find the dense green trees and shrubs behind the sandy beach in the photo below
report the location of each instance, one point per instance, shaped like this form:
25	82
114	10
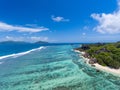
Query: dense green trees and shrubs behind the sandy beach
106	54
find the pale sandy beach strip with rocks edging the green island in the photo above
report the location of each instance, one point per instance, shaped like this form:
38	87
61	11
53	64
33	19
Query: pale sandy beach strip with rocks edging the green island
98	66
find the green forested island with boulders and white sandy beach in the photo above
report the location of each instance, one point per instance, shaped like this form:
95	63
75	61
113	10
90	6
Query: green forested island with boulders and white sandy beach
102	55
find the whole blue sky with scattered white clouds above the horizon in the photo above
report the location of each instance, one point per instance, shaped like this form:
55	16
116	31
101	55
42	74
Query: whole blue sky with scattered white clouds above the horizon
60	20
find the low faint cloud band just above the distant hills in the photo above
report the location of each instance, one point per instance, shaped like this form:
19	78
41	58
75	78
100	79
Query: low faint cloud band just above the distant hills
27	39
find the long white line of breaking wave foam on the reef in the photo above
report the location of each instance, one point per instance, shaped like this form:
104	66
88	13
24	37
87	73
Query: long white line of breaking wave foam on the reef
22	53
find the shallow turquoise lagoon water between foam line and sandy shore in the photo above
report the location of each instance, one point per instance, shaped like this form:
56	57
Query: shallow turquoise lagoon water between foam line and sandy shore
53	68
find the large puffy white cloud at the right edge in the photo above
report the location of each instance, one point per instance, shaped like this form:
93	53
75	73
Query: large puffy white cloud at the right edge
108	23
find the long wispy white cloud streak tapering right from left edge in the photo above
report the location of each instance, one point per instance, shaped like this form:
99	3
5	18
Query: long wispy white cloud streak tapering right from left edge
7	27
